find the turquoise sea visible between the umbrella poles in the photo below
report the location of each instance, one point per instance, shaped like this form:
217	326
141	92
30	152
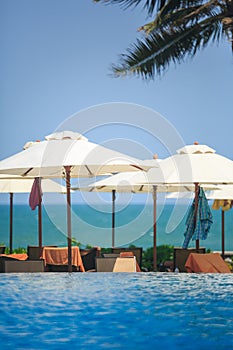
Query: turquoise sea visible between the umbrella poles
92	225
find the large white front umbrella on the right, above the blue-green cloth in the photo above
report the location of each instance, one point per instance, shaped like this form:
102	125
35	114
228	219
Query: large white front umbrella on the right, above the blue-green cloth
193	164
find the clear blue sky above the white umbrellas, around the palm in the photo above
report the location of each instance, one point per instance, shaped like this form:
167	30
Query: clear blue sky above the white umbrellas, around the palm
55	64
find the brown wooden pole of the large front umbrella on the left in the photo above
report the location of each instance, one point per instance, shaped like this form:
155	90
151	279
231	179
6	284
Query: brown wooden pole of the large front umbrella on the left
67	169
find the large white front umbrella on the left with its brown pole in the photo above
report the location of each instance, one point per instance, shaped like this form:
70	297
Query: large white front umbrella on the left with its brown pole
68	154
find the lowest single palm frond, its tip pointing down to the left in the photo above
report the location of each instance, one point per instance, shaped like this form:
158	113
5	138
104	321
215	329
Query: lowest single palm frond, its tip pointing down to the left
160	49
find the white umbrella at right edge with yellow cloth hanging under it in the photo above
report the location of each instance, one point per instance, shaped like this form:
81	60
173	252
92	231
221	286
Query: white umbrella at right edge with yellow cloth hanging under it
223	198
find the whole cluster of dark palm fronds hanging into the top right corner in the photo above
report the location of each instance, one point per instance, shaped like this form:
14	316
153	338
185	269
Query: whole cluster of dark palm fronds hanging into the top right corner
179	29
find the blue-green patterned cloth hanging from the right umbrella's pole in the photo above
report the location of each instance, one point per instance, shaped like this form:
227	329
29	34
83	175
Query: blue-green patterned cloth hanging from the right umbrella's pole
198	226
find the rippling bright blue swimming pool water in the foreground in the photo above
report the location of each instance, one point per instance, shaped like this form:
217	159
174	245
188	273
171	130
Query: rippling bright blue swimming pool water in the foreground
116	310
